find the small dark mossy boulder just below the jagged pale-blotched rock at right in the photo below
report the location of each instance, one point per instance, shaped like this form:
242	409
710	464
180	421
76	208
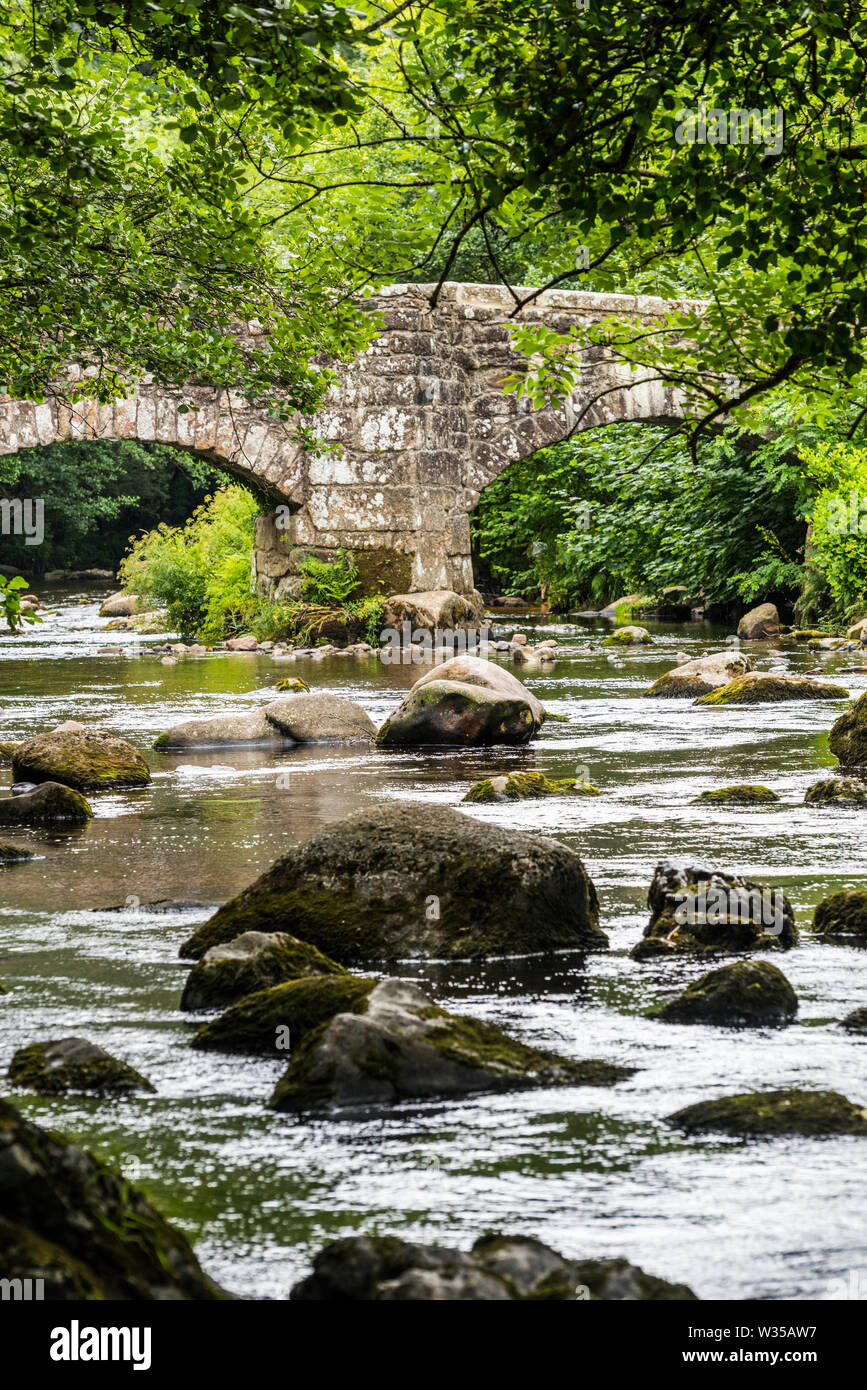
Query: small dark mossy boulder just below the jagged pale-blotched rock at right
744	995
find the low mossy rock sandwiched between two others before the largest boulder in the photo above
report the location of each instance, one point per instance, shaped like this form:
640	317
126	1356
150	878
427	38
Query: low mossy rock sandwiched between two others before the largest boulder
276	1020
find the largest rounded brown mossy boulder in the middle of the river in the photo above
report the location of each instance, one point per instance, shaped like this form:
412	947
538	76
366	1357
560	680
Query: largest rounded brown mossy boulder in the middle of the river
415	881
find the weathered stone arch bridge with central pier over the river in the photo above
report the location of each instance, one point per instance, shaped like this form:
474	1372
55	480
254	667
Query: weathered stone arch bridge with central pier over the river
420	419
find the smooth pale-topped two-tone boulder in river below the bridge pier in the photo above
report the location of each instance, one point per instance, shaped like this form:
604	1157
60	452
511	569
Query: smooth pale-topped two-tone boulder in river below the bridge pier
468	701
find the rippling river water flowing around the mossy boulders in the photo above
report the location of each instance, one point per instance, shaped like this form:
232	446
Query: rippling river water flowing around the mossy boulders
593	1172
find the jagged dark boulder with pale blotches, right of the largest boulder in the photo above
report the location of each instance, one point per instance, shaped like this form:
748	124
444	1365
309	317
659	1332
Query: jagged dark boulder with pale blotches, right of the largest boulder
701	911
